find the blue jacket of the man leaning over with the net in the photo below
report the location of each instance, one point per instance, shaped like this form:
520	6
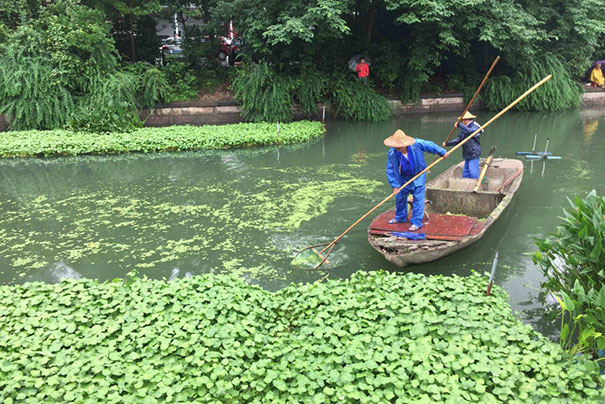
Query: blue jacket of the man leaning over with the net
394	176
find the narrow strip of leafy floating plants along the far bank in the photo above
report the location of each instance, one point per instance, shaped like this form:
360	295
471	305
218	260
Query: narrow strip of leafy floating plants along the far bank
63	142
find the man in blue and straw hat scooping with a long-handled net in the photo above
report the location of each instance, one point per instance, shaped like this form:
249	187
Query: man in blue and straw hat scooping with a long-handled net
405	160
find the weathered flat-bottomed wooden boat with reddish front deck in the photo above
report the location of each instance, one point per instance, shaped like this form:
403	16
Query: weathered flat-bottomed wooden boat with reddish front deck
455	216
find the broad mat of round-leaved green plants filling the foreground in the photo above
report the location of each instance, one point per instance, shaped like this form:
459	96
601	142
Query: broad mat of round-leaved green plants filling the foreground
215	339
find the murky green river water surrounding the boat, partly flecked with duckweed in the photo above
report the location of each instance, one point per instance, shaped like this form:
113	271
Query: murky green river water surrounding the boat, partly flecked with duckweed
248	211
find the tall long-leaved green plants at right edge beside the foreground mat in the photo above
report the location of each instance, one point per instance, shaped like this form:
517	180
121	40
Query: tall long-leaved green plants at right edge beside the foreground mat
573	262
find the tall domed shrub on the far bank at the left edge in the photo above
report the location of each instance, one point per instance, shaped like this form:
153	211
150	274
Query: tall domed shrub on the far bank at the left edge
50	64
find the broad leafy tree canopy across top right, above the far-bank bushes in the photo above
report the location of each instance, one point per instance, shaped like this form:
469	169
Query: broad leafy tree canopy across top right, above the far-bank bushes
417	44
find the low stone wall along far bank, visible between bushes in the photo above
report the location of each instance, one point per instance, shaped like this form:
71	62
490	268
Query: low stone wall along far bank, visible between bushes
223	112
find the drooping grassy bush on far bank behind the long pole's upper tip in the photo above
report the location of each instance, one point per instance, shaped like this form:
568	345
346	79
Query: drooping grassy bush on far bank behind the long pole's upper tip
561	92
